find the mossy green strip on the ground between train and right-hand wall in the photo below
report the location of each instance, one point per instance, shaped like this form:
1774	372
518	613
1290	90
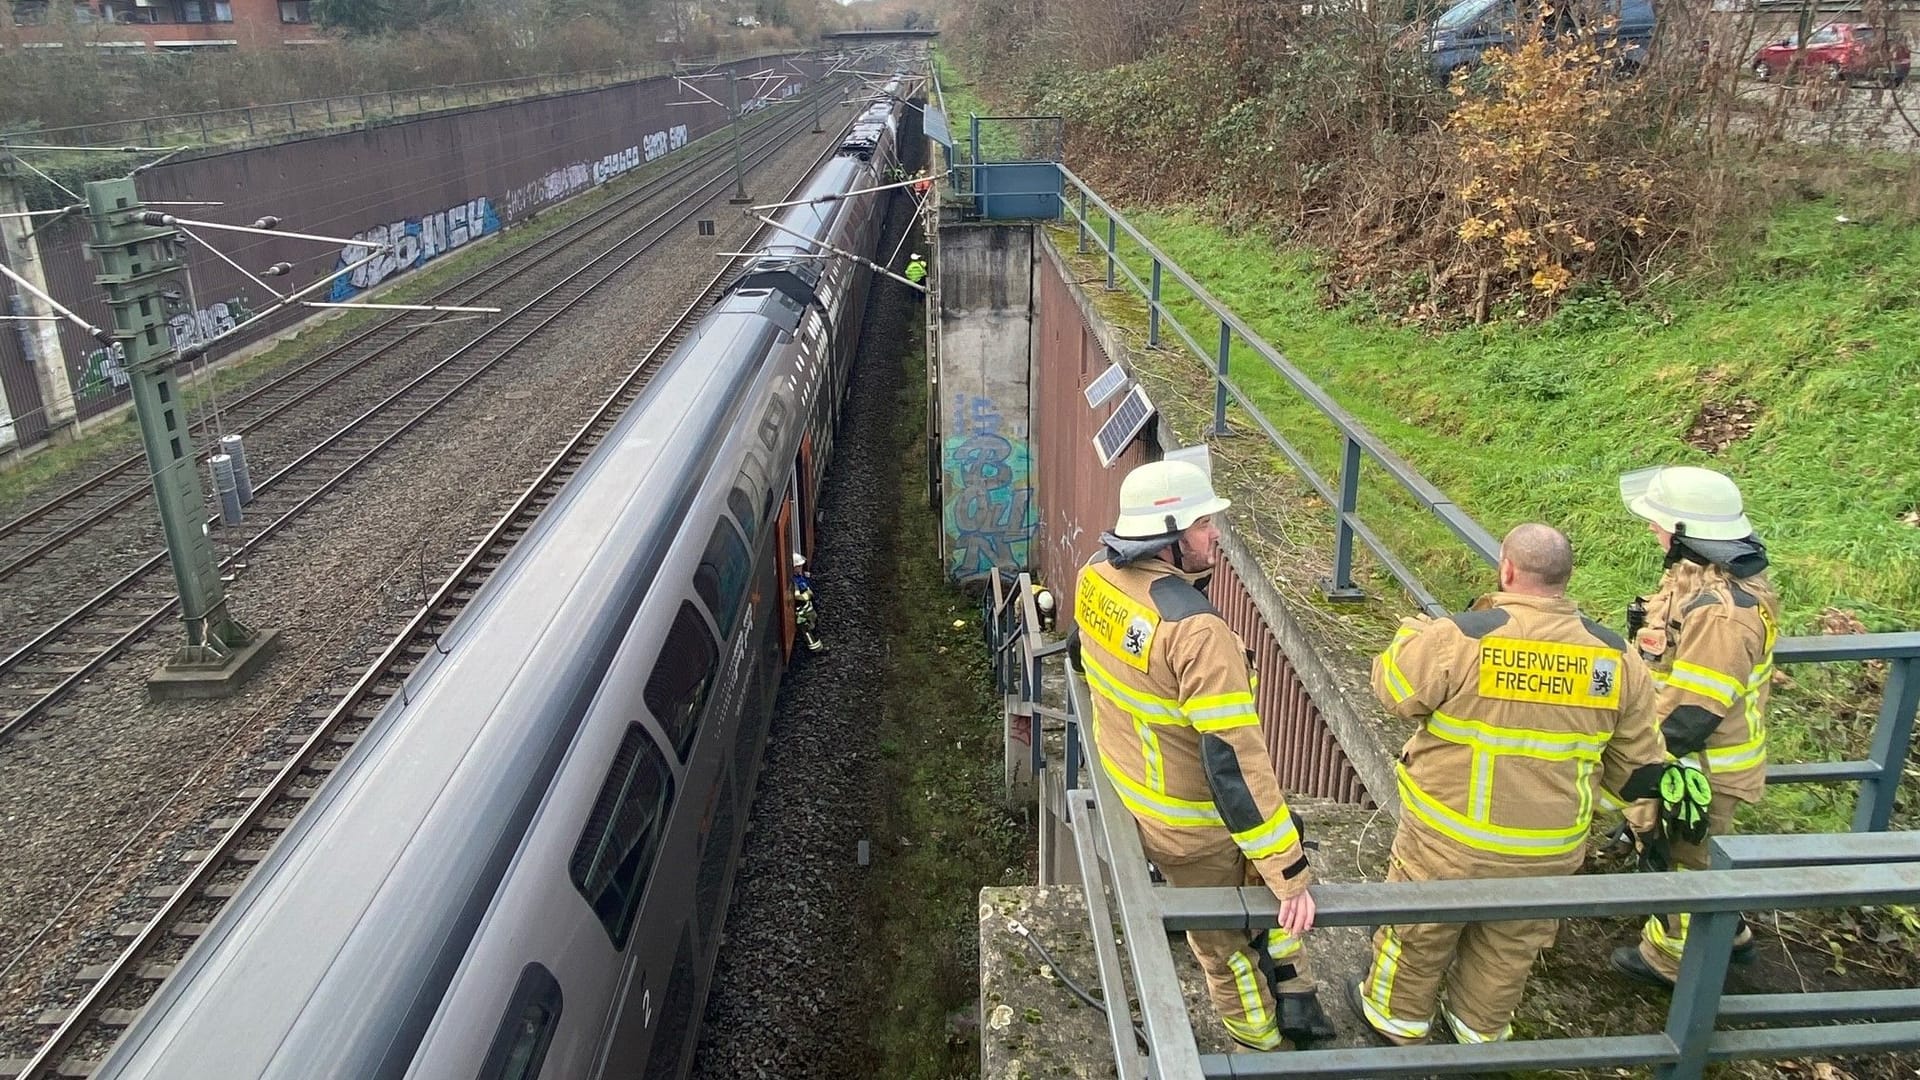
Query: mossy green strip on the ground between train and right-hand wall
944	831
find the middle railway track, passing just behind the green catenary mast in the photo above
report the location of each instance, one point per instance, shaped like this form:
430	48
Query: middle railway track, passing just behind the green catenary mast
62	656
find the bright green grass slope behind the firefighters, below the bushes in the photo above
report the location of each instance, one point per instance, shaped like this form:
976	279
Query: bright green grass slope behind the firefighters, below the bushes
1531	422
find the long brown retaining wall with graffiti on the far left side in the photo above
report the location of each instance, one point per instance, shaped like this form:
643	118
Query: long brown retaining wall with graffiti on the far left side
443	182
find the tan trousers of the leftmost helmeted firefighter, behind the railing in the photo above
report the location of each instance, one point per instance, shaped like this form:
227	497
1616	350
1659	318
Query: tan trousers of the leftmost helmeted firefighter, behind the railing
1243	973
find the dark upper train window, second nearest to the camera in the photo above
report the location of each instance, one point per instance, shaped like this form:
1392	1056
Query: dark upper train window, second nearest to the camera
615	854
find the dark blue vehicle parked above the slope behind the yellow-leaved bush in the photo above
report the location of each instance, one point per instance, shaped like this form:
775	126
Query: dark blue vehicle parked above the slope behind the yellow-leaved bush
1462	36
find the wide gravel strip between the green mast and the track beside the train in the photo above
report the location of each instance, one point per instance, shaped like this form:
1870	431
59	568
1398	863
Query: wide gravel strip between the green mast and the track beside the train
99	804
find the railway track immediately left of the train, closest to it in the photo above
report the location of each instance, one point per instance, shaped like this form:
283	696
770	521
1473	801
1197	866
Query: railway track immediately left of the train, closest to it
183	910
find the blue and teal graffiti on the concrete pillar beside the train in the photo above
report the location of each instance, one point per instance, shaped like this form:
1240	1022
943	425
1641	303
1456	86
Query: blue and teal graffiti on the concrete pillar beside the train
988	479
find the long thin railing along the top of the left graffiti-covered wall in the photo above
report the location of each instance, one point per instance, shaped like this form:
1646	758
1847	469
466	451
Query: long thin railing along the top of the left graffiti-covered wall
343	110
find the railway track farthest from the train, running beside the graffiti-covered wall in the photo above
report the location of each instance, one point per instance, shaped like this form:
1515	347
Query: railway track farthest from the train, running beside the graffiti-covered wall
103	497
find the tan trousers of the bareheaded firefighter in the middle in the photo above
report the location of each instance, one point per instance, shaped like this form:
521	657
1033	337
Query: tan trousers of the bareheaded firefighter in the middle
1489	960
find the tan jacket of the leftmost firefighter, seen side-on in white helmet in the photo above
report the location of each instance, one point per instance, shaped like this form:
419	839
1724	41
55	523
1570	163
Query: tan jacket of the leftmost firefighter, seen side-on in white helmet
1174	718
